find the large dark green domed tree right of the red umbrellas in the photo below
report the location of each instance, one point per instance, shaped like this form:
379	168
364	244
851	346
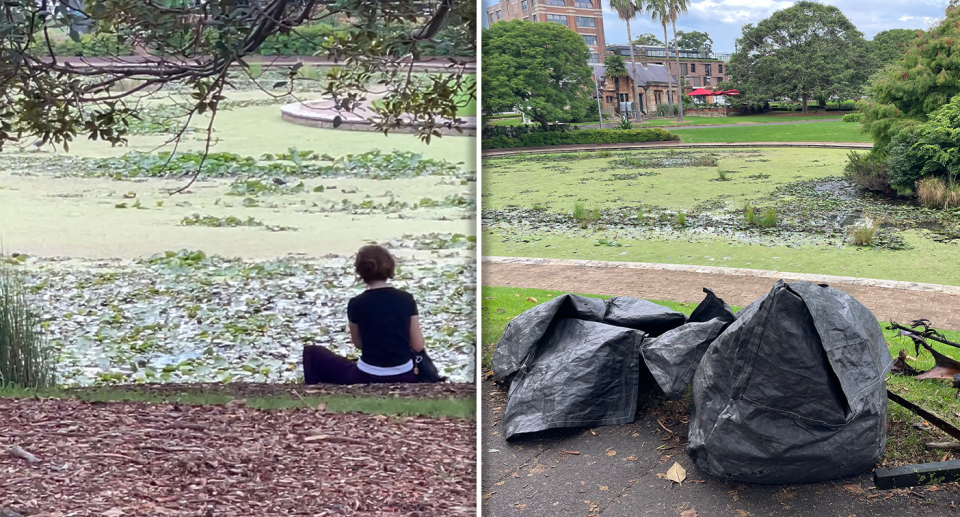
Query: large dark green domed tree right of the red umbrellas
806	51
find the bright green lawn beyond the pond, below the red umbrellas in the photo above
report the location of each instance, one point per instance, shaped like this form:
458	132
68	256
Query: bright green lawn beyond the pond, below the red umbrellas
816	132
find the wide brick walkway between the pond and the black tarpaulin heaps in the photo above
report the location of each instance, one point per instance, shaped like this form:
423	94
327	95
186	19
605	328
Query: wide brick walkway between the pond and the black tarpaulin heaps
889	300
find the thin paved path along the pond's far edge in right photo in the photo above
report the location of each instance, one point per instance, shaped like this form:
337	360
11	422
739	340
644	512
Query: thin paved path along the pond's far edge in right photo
578	148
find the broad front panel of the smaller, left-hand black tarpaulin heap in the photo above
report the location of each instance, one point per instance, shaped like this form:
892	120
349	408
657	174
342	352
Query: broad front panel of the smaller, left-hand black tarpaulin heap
585	373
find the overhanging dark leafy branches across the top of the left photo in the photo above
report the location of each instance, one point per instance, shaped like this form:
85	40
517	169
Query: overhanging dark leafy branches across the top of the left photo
197	42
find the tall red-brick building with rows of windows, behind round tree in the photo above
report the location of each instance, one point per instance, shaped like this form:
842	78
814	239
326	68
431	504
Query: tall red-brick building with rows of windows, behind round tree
583	16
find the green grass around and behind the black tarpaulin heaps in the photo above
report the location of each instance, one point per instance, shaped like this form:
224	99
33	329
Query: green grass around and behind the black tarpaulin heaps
904	442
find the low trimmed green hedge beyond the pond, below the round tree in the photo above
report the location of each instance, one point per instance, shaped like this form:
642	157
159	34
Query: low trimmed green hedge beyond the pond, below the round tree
582	136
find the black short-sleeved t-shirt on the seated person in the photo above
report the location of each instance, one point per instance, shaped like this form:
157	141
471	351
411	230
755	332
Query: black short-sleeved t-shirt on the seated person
383	317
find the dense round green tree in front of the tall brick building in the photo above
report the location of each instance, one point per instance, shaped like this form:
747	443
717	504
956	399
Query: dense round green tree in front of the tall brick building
538	68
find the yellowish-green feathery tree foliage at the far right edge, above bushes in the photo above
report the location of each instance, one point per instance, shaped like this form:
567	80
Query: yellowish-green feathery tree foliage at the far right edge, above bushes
919	82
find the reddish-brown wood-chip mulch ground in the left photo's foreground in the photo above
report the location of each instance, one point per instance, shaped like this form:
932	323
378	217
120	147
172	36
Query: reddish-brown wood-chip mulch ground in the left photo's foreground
116	459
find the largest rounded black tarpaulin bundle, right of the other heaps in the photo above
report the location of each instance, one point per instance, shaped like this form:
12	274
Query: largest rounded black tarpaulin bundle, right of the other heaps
793	390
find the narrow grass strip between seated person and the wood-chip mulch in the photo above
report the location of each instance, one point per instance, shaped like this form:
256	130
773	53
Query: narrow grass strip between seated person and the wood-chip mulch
449	407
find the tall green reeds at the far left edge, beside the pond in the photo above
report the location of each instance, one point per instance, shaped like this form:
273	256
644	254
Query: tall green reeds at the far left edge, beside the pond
26	359
